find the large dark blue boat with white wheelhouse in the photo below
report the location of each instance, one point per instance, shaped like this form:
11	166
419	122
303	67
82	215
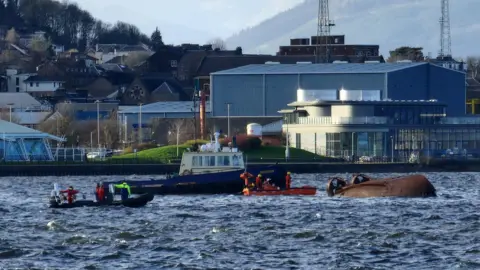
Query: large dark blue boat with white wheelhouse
210	170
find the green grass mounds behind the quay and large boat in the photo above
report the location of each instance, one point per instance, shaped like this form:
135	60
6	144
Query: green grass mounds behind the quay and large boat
166	153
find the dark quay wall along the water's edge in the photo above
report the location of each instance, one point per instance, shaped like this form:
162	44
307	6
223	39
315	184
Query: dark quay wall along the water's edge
91	169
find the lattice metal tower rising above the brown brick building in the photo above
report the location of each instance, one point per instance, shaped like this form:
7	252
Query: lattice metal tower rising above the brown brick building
323	30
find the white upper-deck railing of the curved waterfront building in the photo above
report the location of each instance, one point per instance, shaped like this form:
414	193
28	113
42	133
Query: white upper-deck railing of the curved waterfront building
372	120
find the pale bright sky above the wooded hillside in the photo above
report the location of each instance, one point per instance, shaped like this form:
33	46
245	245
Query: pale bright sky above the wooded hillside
187	21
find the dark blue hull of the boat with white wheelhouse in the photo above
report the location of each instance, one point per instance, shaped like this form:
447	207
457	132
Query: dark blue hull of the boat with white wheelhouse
210	183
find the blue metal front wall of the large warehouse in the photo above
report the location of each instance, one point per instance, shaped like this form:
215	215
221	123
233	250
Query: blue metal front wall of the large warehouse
264	95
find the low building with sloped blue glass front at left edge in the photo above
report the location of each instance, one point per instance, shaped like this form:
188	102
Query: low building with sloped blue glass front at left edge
19	143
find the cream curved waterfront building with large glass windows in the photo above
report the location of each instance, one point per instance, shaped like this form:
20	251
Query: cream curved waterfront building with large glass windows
355	123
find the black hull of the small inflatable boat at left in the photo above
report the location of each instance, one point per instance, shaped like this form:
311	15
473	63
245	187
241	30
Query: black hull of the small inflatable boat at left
139	201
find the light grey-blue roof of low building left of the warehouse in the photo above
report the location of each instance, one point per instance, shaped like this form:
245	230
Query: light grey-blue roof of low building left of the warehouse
166	107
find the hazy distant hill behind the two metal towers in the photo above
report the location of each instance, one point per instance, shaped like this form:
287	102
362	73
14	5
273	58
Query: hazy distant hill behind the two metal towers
390	24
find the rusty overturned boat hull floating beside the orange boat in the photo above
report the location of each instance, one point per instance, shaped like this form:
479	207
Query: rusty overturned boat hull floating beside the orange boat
363	186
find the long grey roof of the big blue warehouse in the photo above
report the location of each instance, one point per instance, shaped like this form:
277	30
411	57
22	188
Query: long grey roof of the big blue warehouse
318	68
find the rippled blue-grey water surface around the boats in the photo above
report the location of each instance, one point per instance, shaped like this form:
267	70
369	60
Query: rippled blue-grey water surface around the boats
235	232
